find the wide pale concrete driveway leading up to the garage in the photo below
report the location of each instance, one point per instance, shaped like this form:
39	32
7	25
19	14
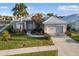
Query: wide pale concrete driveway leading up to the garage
66	46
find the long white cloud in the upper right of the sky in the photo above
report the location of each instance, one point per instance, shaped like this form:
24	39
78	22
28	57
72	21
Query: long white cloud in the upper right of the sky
68	8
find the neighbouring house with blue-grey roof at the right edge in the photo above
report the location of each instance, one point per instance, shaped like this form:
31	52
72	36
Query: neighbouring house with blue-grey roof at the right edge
73	21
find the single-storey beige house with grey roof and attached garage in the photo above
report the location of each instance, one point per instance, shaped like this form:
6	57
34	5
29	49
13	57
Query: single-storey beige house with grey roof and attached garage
51	25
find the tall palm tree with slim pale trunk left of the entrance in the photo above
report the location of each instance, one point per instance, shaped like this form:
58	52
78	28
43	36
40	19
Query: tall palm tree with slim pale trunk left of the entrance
20	11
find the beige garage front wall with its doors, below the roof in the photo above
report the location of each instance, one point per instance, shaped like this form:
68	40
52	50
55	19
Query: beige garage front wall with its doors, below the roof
54	30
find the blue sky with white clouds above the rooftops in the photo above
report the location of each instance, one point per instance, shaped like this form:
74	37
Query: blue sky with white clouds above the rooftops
61	9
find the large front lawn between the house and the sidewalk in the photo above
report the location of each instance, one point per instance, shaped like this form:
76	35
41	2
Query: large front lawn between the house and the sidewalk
21	41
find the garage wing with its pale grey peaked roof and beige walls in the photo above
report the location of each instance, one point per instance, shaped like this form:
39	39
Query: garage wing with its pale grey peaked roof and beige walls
54	26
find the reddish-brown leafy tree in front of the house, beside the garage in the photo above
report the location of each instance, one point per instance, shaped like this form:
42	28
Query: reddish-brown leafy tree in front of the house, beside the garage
38	21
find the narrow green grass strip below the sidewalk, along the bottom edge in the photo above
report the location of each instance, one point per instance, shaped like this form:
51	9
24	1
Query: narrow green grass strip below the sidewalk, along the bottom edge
44	53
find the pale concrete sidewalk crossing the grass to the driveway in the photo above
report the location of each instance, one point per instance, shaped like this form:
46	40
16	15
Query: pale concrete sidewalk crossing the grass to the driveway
27	50
